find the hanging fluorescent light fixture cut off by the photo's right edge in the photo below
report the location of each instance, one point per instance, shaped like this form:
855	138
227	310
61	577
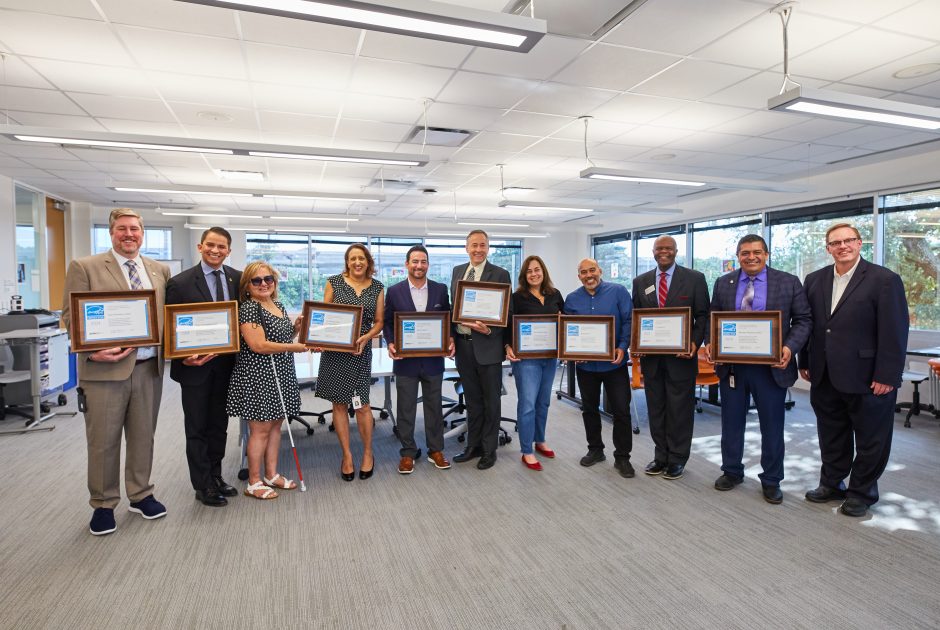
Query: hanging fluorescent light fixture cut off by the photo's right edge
856	108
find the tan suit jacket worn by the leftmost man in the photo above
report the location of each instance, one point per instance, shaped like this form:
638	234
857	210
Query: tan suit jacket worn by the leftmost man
102	273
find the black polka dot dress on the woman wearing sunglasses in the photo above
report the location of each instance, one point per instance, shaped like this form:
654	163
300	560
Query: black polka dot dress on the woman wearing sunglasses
252	392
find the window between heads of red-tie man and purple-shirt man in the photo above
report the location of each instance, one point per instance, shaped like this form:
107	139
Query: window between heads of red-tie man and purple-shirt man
714	244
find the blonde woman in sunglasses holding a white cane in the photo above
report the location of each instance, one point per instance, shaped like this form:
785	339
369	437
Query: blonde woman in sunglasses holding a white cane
263	396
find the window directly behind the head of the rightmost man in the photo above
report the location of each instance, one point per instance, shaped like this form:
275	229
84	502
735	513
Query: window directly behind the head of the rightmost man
797	237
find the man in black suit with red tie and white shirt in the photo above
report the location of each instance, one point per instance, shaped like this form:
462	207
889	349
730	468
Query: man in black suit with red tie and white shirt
669	381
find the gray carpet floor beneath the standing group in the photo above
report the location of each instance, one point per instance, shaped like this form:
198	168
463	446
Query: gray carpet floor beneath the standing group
569	547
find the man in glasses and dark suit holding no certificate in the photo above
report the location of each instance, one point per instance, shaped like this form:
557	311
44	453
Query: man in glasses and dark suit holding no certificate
854	362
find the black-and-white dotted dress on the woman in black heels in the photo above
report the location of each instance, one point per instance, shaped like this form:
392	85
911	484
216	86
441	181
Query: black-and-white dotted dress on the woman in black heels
343	374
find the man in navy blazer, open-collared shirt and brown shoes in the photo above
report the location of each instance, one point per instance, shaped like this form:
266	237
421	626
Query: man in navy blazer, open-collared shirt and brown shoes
417	293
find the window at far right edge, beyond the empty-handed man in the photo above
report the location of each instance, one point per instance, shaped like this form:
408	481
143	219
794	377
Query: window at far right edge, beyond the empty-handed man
912	250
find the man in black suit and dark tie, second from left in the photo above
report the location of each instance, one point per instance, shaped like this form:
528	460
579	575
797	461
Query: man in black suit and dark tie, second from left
204	379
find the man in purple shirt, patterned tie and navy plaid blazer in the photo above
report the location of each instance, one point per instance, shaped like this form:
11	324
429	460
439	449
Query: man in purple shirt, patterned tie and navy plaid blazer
757	287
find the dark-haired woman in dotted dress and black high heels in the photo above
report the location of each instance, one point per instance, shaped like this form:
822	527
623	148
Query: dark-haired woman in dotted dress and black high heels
344	375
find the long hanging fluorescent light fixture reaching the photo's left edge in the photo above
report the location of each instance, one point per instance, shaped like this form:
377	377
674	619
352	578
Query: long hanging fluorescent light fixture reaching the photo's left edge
192	145
